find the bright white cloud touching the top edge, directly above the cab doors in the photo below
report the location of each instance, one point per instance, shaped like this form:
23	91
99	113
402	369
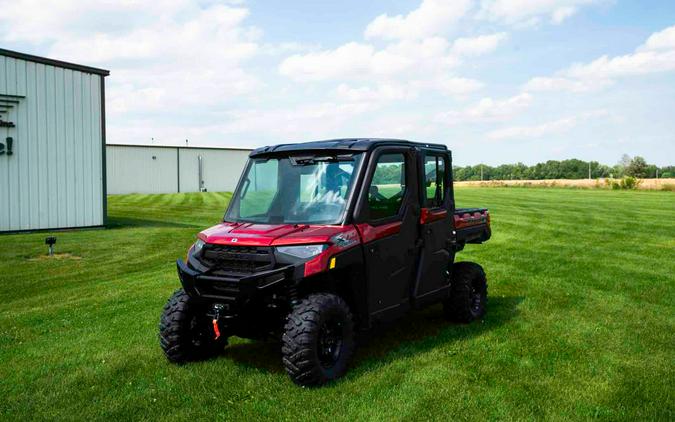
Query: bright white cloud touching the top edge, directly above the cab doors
432	17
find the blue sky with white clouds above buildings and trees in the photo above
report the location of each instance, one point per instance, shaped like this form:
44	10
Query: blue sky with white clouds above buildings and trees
498	81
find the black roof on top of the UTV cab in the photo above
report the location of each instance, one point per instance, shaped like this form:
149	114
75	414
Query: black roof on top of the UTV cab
352	144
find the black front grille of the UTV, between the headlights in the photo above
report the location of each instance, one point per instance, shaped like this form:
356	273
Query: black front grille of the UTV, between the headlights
227	259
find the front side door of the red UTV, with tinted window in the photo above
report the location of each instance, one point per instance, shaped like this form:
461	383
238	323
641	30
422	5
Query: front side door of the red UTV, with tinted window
387	220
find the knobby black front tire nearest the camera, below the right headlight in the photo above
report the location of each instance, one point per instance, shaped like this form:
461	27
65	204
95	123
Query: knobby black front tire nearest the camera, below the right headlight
318	340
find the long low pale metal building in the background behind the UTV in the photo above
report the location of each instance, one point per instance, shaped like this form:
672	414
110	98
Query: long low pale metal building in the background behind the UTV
164	169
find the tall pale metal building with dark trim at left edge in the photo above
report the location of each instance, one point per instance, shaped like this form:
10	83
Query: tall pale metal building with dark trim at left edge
52	137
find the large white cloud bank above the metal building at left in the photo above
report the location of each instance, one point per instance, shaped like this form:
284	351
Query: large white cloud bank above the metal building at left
161	54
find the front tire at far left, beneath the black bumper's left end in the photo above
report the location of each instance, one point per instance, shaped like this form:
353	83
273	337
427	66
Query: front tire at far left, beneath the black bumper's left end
184	331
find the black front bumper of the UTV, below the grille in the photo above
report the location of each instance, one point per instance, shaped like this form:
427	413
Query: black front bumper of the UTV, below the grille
232	289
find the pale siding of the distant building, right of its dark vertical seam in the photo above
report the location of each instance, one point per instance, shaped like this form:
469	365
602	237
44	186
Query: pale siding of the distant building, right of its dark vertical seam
221	169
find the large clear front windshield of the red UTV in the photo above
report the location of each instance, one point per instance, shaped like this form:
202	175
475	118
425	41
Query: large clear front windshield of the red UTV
296	190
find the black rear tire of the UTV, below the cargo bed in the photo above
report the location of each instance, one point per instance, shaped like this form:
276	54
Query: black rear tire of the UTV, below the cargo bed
468	293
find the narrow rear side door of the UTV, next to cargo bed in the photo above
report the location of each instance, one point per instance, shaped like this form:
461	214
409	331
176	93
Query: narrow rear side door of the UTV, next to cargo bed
435	224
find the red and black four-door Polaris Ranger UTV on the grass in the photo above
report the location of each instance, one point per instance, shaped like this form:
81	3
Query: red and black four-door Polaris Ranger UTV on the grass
322	240
